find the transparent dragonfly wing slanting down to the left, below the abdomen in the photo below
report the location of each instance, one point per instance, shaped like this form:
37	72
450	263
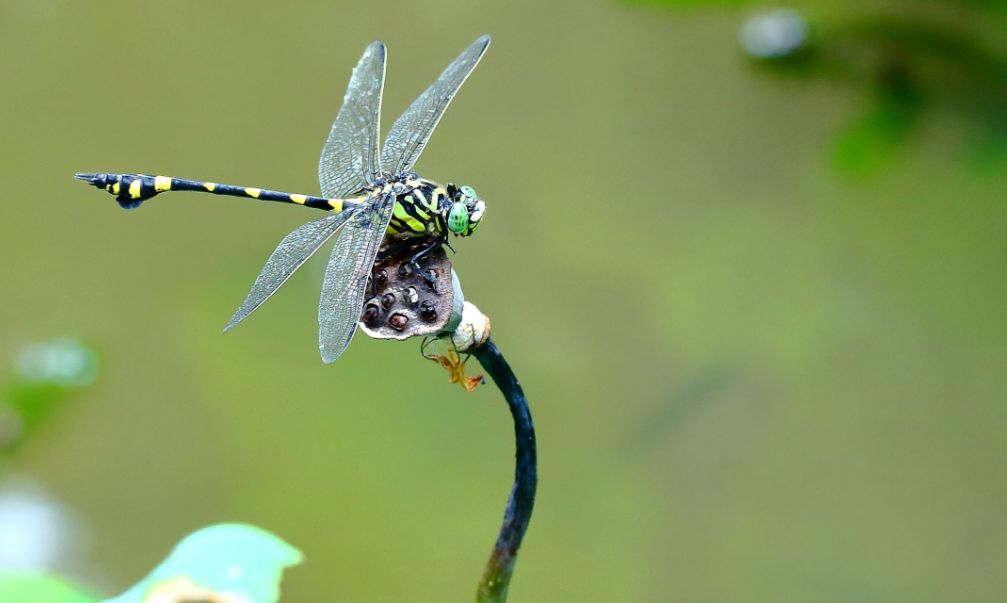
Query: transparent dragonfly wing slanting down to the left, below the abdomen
292	254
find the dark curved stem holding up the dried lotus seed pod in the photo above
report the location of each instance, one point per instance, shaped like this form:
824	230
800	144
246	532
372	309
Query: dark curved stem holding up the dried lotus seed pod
497	576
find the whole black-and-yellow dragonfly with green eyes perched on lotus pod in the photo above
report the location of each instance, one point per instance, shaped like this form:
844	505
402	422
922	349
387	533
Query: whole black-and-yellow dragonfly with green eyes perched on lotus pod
372	197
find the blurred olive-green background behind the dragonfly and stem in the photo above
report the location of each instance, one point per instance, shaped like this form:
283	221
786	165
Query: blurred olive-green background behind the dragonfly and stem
759	310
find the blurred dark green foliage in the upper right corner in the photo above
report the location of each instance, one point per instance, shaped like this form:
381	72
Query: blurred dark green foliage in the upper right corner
914	67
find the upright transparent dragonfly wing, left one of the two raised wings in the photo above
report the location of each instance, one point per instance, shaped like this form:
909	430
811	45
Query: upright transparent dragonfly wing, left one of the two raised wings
350	159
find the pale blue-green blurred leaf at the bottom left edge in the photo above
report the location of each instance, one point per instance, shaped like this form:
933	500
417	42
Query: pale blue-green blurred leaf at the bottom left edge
228	563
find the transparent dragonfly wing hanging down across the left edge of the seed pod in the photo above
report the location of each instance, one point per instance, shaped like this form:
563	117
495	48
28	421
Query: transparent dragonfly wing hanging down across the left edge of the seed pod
347	276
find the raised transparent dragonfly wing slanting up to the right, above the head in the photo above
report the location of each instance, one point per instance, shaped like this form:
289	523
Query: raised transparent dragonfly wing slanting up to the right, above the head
412	130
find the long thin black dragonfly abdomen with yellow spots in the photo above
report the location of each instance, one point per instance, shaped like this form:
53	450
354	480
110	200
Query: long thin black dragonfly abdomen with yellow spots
131	191
